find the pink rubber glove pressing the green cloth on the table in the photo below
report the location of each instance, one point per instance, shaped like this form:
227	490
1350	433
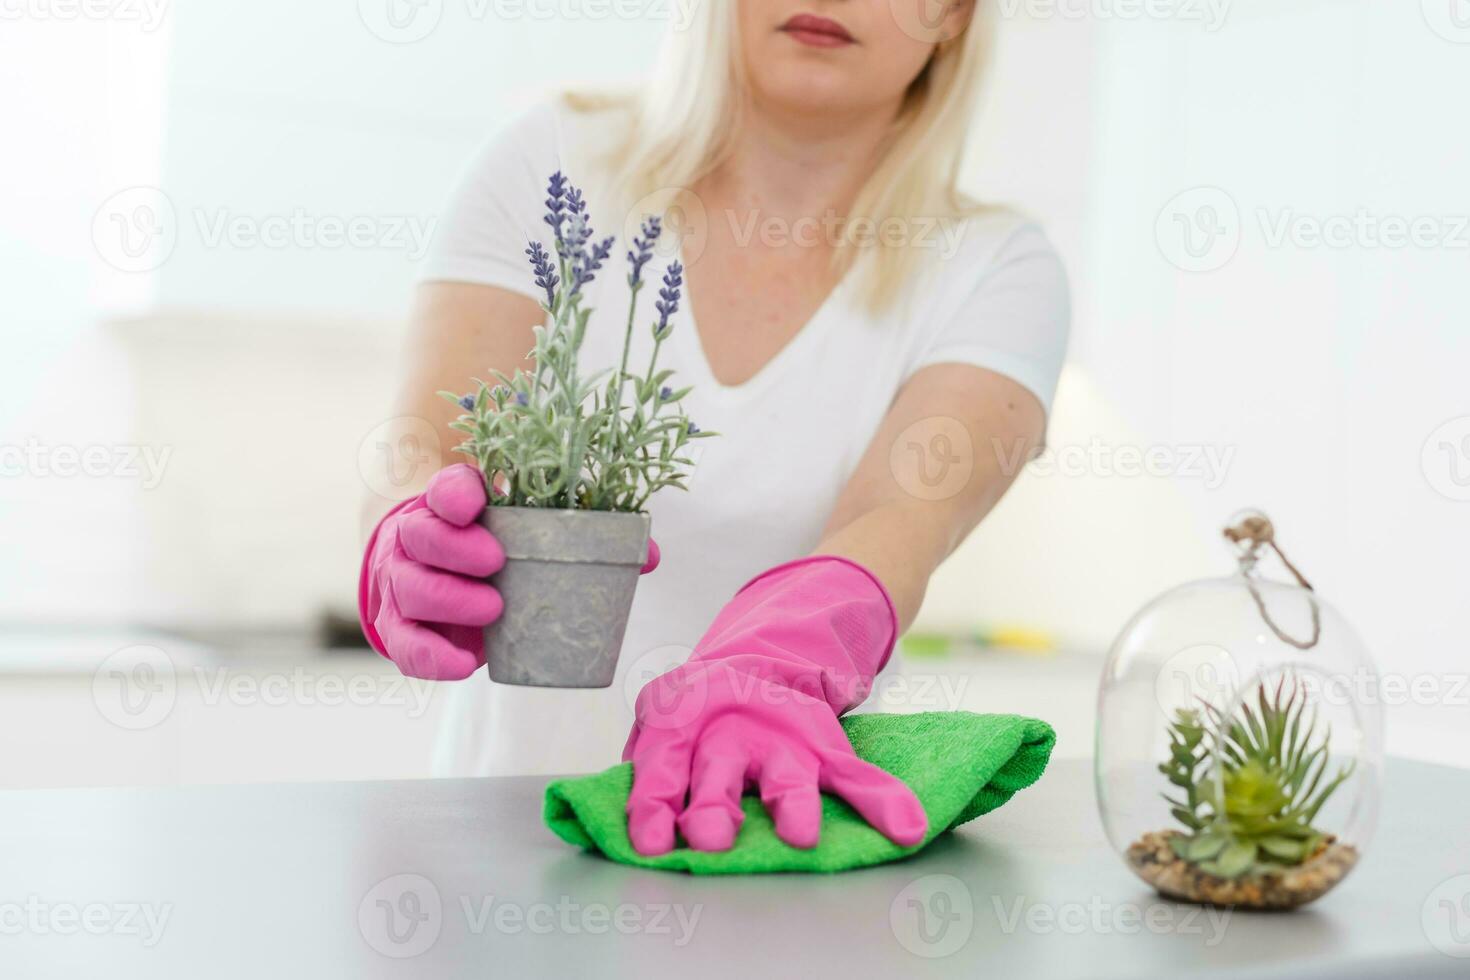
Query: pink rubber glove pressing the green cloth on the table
758	706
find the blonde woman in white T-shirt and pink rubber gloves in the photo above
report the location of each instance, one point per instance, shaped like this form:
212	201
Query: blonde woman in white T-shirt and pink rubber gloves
846	314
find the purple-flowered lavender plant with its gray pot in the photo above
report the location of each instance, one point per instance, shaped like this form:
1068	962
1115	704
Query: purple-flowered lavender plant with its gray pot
570	464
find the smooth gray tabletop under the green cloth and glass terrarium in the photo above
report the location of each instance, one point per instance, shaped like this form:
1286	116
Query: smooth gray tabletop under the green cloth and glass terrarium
459	878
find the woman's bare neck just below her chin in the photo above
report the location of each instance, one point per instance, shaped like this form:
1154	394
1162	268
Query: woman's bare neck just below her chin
799	165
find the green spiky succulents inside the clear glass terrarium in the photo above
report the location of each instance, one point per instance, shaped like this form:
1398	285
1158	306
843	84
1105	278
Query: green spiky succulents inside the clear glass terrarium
1253	782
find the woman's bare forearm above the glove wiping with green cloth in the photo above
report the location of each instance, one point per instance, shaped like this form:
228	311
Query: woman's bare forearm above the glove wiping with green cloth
947	452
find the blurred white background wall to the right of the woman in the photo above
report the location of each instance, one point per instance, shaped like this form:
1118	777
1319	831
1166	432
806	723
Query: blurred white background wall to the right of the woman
1319	372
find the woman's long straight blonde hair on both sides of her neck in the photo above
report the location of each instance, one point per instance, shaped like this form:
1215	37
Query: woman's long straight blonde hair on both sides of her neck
686	118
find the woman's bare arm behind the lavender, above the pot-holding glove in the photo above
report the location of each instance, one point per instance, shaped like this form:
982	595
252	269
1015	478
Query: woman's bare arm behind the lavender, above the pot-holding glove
459	333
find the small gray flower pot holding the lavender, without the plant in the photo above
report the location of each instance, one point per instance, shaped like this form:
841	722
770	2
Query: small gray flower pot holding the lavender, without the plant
568	586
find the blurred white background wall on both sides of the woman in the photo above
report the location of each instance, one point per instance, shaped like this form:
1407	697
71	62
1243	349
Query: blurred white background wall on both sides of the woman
1318	374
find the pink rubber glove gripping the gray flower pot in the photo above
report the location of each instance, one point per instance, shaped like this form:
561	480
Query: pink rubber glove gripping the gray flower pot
421	597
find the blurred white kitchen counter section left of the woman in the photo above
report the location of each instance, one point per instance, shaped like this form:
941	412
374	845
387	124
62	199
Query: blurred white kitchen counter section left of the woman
139	707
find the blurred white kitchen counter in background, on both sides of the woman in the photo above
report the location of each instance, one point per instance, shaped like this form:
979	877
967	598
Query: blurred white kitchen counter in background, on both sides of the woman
139	709
